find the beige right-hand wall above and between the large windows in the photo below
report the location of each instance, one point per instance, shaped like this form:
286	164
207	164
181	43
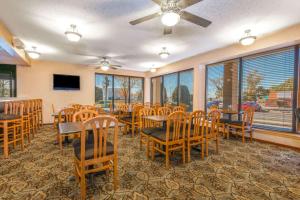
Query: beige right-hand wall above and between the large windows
283	38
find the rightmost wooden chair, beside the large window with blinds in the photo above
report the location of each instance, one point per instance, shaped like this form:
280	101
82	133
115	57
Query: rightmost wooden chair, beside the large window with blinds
244	125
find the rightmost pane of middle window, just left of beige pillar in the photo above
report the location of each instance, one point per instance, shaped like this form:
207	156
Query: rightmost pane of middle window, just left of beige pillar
186	89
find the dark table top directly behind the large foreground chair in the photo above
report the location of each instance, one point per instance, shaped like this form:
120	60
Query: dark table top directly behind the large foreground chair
75	127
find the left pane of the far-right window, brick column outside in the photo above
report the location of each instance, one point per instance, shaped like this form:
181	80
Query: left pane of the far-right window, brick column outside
222	88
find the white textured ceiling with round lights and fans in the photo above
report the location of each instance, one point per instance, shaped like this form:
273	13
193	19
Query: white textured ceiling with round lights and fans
106	31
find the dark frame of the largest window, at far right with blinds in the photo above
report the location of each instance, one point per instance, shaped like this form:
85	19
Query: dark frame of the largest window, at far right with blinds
296	74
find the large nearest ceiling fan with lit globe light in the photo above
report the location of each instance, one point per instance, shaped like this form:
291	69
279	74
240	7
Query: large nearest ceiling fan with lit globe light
171	12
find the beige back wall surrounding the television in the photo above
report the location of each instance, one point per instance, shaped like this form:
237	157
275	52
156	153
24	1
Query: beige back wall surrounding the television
37	82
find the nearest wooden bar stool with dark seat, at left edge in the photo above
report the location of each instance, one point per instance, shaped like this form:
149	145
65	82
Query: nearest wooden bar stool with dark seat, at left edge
11	122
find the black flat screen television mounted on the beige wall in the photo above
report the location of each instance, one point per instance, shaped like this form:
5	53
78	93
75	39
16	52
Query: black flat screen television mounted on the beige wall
66	82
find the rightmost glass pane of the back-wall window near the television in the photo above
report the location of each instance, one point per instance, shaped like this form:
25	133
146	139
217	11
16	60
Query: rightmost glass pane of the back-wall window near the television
136	90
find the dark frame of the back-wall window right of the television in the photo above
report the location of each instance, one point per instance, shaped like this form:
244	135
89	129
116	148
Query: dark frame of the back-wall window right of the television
113	86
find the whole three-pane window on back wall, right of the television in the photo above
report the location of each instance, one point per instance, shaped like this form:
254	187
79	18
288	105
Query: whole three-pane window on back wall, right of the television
118	89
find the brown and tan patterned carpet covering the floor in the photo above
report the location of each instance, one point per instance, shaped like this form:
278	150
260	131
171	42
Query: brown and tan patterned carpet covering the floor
251	171
